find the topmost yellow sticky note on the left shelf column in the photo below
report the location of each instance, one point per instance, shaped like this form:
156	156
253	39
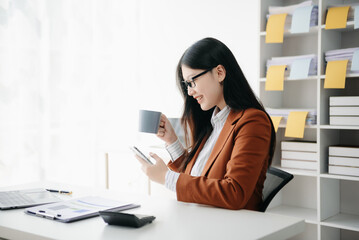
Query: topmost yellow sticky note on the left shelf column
275	28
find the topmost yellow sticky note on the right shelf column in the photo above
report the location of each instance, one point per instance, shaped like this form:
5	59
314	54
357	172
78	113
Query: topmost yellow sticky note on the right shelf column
337	17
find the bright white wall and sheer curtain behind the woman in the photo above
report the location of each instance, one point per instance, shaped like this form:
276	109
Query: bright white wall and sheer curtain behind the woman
74	72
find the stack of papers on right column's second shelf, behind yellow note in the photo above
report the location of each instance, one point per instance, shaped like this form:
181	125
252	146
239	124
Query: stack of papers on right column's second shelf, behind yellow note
343	54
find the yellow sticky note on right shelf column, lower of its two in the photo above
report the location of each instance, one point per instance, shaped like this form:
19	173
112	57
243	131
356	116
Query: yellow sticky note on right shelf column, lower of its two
335	74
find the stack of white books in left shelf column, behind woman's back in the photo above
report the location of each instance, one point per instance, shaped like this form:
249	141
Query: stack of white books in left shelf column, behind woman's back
299	155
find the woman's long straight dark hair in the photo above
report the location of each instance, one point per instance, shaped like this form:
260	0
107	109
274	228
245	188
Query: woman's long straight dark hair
238	95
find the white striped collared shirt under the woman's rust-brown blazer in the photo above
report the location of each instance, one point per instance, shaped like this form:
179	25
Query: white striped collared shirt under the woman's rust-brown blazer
176	149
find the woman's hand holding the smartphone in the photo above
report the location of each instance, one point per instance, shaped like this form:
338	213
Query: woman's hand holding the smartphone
156	172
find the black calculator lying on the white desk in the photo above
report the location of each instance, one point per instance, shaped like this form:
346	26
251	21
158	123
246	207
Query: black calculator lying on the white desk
126	219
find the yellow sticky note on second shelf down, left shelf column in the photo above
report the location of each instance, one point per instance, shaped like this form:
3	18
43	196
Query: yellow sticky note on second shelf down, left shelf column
275	78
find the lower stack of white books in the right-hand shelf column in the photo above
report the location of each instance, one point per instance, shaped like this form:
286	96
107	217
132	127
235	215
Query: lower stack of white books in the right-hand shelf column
344	160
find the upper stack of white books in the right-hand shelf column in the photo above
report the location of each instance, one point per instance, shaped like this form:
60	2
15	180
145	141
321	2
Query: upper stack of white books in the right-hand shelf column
344	110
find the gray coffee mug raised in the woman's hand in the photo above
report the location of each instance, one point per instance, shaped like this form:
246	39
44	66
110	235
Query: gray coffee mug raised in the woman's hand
149	121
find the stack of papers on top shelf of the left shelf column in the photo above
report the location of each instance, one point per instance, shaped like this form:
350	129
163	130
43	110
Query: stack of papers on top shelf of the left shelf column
291	9
